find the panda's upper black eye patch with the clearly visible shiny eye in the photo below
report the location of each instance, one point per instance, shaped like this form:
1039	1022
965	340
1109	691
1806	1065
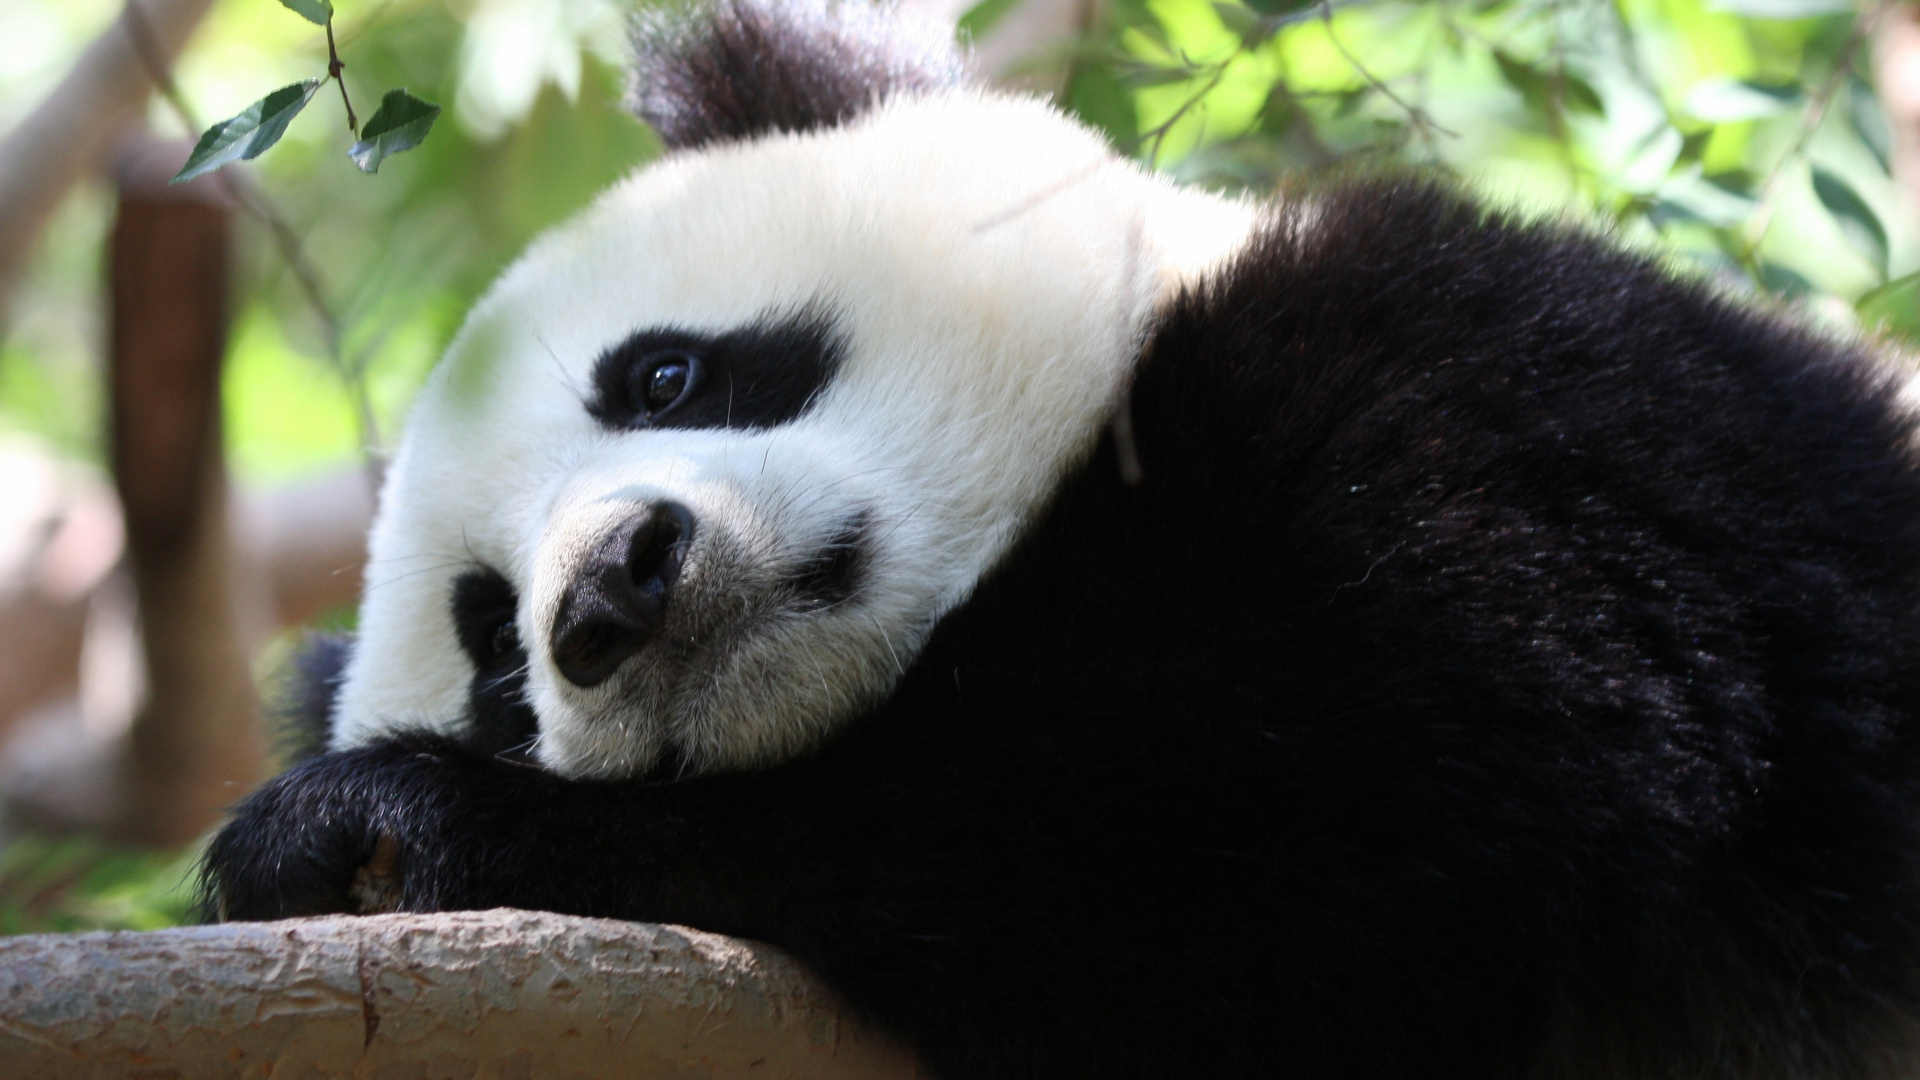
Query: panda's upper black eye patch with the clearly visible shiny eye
759	376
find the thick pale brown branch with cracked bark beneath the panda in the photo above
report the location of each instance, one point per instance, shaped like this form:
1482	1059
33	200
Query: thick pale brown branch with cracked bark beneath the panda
489	994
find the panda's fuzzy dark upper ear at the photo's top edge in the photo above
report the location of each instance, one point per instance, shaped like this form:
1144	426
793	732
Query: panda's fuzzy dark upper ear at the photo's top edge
742	68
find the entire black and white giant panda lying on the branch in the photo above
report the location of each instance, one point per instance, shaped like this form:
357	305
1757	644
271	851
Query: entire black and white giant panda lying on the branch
1122	631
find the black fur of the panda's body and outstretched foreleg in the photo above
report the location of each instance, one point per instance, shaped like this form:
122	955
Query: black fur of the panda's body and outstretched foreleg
1504	670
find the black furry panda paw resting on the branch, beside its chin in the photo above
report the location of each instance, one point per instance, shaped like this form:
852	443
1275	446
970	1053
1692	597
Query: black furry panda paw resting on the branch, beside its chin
331	837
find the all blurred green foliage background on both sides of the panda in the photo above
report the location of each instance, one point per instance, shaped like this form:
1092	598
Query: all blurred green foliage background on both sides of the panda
1740	137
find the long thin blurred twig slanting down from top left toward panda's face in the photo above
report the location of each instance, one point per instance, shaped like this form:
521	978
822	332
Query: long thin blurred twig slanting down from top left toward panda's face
251	199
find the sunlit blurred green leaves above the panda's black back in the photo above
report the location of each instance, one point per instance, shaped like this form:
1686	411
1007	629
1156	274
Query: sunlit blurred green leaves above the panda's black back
1742	135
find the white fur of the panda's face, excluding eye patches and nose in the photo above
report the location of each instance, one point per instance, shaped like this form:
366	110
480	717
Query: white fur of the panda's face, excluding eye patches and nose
992	268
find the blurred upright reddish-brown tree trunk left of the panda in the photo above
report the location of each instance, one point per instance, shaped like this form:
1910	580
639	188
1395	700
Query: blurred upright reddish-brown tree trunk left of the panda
197	743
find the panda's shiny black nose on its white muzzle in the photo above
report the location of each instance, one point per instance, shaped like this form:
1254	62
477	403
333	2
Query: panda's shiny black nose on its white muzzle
619	601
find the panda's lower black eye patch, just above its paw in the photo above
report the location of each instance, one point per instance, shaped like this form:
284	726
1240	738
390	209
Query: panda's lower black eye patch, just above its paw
485	610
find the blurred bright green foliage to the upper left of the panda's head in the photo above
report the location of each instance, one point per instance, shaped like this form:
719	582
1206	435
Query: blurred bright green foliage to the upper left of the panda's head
539	132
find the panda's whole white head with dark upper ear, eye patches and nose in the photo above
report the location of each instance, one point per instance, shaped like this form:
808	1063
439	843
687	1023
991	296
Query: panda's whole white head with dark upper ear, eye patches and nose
706	468
